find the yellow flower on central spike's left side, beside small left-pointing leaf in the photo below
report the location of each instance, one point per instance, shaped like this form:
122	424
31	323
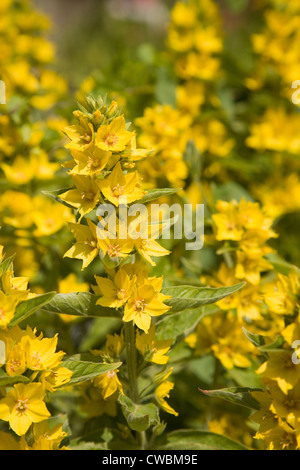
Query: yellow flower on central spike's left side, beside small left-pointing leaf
86	195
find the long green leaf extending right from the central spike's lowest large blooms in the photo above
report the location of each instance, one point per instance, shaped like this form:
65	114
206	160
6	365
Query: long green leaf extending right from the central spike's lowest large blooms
188	297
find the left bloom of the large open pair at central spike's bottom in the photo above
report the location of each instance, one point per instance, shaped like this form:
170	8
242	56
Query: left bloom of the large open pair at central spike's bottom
117	292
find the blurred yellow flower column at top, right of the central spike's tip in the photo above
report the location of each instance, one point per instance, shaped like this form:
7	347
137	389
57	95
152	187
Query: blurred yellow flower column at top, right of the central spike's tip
195	38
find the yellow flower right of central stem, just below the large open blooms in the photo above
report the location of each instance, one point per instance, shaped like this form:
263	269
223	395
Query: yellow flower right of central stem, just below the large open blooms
153	350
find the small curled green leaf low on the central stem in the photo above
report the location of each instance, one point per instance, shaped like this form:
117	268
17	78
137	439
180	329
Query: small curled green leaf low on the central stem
139	417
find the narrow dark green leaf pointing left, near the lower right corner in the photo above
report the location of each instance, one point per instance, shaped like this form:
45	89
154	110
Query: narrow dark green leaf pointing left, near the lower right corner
236	395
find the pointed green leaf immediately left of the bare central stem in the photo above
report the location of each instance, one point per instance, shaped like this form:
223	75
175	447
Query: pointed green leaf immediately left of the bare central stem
86	367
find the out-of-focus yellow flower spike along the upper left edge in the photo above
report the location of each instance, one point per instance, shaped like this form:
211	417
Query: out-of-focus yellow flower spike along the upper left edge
30	132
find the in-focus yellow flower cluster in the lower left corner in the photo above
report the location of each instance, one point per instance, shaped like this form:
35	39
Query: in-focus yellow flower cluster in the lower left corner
30	367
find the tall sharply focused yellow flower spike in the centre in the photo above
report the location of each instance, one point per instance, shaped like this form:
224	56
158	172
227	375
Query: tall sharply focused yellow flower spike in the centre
103	170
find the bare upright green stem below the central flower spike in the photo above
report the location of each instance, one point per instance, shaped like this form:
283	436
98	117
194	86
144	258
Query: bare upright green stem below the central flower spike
131	361
